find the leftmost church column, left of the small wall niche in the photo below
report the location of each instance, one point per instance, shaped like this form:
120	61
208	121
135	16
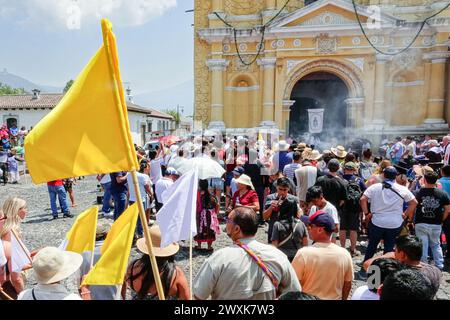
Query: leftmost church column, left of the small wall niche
217	66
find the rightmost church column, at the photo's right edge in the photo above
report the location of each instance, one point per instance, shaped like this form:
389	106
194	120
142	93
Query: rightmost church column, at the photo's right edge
436	95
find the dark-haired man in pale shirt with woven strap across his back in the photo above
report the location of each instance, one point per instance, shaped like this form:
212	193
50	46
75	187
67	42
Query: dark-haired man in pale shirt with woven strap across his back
231	273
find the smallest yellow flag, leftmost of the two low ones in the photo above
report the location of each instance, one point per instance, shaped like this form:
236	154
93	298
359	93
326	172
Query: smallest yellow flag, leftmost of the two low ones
81	237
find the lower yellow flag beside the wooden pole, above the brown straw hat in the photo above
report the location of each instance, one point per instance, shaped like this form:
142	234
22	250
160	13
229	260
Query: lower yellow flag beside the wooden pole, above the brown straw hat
110	269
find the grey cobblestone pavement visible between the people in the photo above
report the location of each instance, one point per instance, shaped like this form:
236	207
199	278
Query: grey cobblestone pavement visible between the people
39	230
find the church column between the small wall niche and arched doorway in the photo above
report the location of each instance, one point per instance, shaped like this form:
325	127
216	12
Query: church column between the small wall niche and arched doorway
268	107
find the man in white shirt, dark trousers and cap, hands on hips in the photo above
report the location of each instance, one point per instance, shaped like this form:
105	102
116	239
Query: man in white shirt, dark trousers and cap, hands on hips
386	217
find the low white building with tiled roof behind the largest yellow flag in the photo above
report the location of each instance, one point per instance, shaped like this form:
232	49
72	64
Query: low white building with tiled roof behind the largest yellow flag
26	110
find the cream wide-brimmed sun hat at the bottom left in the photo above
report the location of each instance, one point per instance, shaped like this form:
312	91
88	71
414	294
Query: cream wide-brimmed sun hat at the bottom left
52	265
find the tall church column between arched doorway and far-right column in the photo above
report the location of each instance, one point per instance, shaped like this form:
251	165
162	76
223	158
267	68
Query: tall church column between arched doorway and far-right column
379	114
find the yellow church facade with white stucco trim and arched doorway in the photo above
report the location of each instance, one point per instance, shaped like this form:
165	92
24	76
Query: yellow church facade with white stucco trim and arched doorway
313	59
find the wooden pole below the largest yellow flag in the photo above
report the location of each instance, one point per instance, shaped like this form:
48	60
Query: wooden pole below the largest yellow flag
148	240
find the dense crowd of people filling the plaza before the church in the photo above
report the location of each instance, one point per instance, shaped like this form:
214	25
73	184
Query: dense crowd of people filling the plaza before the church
308	200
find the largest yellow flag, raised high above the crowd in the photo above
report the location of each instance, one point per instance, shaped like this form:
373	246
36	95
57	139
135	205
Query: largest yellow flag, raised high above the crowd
88	131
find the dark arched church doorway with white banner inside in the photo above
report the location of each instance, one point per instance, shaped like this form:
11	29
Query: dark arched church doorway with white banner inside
320	108
